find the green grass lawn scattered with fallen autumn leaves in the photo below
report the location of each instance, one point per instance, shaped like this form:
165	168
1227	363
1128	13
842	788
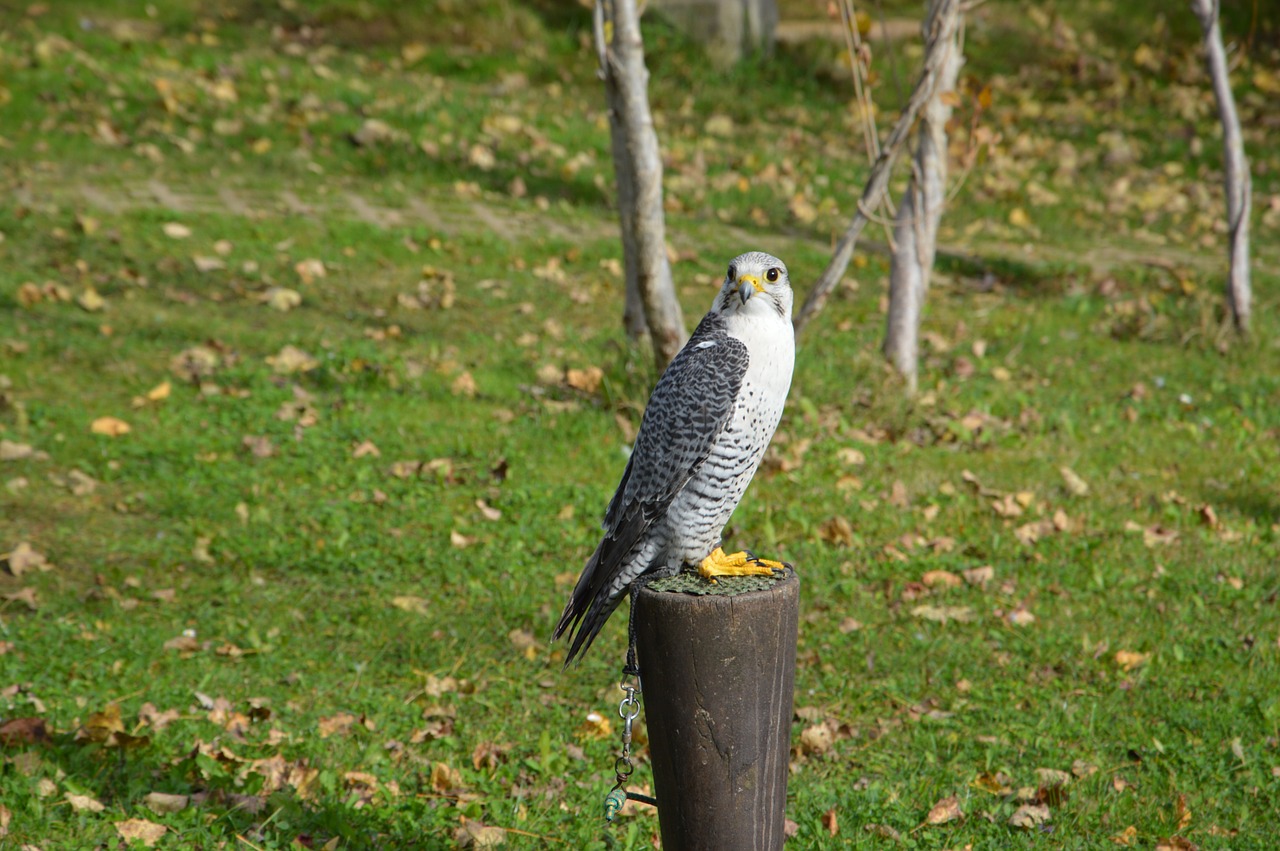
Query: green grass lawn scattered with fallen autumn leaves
316	584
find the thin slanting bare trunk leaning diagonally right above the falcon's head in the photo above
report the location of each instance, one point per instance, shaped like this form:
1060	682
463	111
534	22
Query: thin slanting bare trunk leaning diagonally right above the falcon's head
944	29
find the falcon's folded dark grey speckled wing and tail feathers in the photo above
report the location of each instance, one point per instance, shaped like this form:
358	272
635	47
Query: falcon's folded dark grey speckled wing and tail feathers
687	414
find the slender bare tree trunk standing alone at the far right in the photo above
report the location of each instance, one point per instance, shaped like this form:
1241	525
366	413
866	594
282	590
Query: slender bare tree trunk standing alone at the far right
1236	168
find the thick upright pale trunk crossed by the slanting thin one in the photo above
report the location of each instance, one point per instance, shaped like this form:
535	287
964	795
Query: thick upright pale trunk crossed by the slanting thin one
916	228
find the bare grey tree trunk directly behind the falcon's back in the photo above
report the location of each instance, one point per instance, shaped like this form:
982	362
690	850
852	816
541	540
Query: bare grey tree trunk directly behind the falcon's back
638	166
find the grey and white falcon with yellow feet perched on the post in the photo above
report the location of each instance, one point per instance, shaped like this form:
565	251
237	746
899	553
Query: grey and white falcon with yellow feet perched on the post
703	434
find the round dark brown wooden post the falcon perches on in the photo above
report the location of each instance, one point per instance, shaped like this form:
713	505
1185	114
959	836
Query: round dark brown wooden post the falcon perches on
717	664
